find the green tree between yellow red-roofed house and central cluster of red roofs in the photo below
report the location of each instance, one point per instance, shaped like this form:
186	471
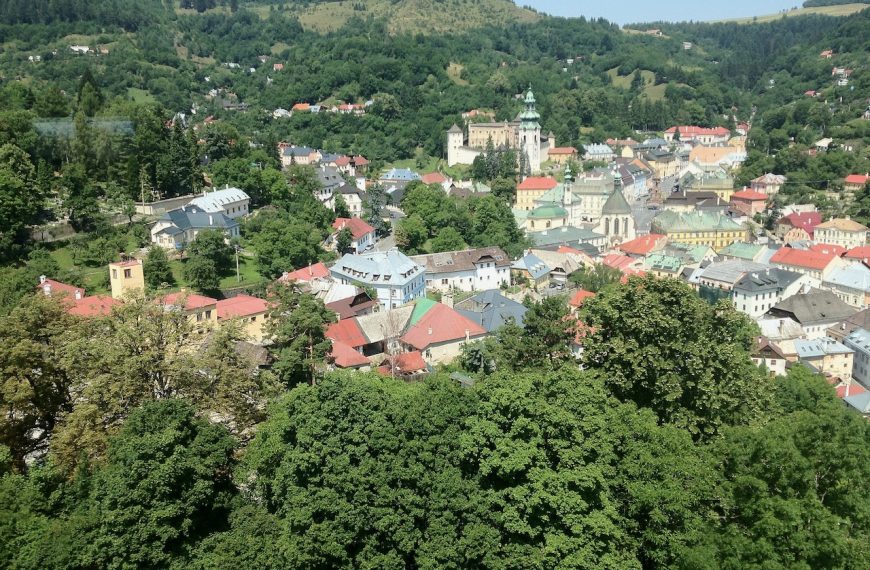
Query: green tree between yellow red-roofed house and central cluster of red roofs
296	325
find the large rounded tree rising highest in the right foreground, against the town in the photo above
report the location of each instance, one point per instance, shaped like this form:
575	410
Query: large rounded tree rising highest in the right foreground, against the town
656	343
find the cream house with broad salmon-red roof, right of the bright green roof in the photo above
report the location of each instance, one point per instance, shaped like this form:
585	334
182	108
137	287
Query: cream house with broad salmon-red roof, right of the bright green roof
440	334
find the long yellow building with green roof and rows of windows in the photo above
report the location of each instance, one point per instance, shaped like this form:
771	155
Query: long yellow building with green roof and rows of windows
699	228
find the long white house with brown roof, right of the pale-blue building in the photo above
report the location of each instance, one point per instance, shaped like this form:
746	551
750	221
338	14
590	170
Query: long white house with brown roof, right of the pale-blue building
469	270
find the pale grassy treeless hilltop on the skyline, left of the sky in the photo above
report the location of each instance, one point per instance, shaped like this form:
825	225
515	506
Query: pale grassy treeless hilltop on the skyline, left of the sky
413	16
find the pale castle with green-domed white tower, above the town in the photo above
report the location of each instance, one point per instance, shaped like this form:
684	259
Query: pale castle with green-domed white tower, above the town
523	135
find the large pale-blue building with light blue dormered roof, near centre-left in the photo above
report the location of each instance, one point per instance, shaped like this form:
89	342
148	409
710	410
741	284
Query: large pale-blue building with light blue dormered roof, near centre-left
395	277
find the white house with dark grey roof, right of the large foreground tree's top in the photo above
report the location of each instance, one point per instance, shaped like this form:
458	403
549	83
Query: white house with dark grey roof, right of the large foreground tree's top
756	292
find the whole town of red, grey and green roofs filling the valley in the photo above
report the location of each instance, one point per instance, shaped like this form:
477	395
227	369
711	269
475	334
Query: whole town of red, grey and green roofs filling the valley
666	206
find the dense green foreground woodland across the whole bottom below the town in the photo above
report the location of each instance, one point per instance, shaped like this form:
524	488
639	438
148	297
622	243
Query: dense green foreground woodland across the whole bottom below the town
669	449
